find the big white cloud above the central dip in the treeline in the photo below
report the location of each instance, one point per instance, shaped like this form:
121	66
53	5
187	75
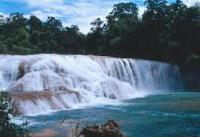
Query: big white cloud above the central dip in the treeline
79	12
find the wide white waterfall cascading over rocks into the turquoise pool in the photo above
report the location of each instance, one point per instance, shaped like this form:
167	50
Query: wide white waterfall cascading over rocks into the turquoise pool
42	83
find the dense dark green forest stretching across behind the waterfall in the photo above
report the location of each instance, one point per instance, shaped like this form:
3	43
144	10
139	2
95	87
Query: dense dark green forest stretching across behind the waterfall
166	31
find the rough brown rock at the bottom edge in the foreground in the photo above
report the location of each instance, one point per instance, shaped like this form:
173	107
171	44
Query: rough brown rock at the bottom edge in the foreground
110	129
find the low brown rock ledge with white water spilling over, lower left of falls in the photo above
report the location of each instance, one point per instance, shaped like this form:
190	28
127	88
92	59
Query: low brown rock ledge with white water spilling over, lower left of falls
41	101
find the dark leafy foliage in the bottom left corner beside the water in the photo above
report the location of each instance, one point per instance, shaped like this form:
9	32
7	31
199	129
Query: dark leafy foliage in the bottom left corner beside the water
7	128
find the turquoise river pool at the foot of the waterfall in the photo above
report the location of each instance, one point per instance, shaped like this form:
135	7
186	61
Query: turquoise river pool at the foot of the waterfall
161	115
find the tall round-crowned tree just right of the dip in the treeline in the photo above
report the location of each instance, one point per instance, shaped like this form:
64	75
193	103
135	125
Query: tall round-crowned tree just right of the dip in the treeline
122	20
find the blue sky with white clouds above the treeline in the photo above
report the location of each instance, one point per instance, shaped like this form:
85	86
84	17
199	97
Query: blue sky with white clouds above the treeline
70	12
